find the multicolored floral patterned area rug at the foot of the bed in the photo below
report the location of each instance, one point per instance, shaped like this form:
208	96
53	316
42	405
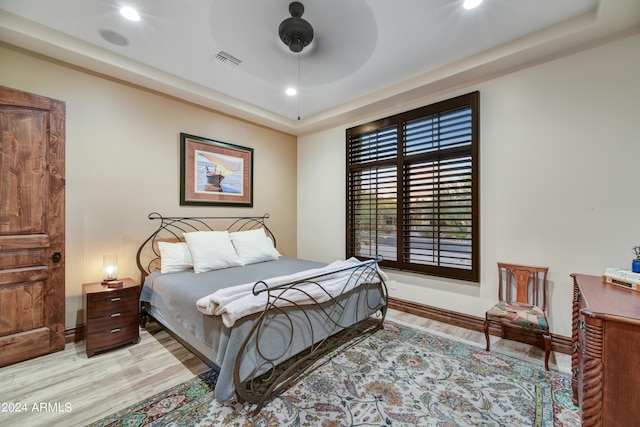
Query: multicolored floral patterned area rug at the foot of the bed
396	377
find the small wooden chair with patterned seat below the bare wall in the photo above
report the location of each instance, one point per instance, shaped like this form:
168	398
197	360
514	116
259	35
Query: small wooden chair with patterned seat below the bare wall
522	304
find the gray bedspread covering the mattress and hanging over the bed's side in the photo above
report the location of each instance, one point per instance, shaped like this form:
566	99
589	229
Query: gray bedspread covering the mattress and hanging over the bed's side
173	297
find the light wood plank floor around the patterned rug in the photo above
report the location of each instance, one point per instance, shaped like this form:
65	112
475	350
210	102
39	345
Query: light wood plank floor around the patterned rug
68	389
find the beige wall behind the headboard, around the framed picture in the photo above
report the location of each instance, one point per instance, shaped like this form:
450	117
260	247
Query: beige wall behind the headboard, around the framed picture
123	163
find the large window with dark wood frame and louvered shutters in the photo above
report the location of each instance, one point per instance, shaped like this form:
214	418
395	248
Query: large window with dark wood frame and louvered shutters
413	189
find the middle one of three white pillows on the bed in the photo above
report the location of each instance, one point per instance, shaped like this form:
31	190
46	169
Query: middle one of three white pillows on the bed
211	250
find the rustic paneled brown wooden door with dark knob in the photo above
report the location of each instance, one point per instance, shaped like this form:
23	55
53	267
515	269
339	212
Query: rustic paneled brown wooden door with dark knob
32	289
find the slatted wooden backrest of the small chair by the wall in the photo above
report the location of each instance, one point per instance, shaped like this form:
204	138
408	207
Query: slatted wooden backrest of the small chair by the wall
529	286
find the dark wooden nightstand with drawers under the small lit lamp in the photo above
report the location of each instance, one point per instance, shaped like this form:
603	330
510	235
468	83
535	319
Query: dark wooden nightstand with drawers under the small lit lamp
111	315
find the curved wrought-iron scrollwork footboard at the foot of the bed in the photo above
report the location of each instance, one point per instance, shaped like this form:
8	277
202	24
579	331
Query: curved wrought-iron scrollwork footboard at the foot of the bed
345	319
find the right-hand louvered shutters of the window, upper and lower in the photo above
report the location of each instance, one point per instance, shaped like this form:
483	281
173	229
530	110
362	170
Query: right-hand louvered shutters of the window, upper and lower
437	206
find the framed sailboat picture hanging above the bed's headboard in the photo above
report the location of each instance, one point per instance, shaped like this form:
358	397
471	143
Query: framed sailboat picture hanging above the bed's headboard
215	173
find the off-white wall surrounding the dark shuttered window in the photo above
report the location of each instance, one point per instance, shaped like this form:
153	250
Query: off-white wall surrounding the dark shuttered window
559	156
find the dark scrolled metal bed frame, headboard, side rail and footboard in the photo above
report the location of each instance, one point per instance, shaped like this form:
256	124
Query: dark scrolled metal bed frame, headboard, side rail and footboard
272	378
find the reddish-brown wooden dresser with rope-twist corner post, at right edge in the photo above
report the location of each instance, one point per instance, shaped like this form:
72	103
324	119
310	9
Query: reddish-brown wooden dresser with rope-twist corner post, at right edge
606	352
